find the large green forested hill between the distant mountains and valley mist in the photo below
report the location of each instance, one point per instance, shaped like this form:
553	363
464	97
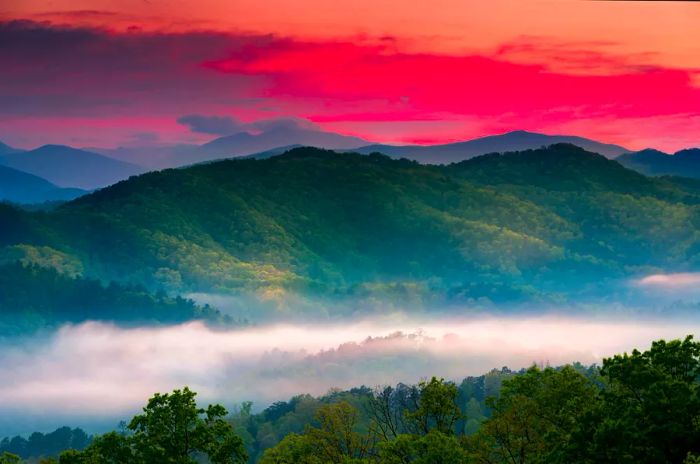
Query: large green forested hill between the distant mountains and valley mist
538	224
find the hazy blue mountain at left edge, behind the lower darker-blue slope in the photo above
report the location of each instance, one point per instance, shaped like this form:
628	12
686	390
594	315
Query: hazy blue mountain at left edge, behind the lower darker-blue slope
70	167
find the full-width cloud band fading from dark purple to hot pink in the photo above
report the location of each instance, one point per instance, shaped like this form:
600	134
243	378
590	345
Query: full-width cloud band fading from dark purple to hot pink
372	88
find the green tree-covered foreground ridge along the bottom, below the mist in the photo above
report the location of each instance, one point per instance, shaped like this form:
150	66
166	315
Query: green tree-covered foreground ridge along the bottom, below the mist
641	407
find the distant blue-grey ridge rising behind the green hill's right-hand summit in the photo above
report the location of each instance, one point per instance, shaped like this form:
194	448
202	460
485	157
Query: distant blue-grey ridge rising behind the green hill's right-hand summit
511	141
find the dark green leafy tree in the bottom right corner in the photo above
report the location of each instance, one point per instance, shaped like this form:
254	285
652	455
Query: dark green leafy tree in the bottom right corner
650	409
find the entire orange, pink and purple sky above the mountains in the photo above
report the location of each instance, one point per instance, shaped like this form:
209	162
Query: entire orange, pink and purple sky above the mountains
107	73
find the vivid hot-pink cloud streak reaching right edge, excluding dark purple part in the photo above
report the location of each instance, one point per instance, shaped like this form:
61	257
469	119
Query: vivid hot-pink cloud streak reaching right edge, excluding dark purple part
414	85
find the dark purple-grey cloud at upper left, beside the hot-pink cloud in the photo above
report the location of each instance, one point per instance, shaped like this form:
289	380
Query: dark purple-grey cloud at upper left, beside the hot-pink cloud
82	71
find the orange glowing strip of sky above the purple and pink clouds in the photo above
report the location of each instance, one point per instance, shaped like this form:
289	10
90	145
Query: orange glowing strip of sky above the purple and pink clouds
663	33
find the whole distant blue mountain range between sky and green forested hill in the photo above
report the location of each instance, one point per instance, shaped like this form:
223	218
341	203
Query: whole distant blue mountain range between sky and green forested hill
88	169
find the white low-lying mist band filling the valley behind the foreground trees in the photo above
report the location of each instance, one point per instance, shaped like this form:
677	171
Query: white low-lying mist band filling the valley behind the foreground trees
95	374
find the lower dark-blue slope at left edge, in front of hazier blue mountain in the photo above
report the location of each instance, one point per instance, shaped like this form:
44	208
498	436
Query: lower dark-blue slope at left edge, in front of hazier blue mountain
21	187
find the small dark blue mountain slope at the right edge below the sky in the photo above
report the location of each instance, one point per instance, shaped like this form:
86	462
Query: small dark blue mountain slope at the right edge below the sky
655	163
